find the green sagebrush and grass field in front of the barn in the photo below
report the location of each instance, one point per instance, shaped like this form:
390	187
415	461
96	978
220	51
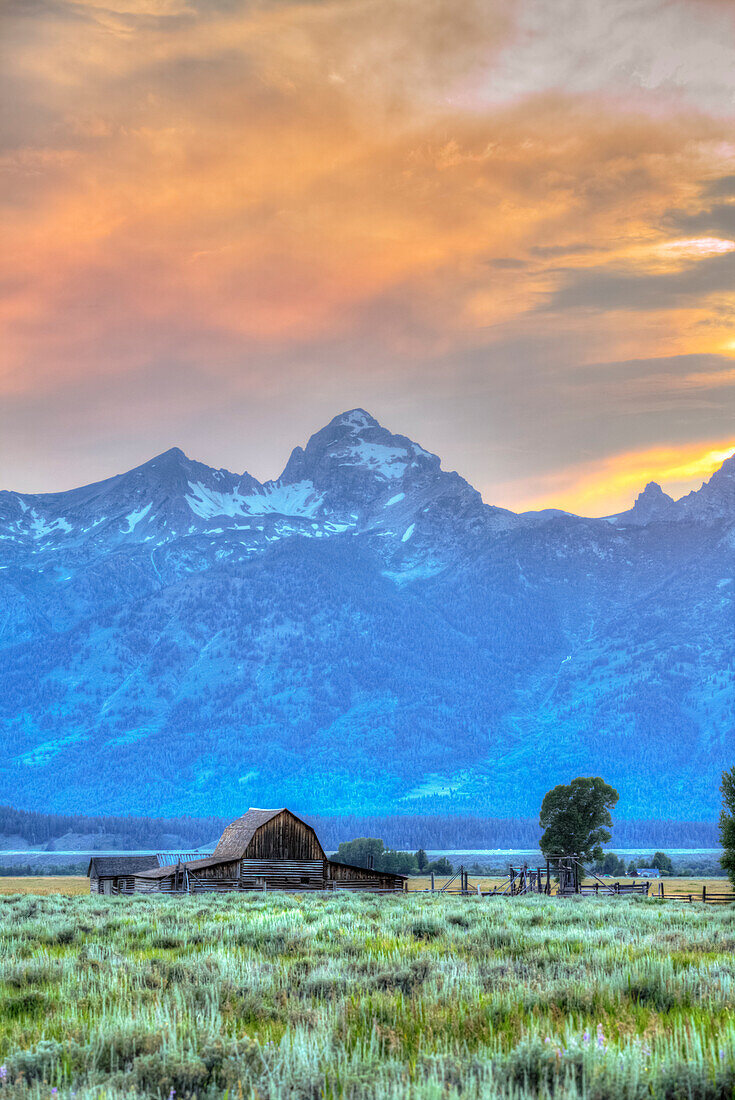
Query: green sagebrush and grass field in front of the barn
309	997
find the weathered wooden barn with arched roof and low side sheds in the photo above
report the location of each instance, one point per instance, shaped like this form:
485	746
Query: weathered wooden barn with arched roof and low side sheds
265	850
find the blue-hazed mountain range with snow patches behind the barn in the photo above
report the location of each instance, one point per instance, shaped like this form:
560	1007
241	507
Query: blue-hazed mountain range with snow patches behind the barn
364	635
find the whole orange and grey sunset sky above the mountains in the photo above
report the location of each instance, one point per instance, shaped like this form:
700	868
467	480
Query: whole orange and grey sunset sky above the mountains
506	228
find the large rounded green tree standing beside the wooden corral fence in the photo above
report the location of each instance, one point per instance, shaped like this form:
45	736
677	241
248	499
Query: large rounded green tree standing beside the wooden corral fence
576	819
